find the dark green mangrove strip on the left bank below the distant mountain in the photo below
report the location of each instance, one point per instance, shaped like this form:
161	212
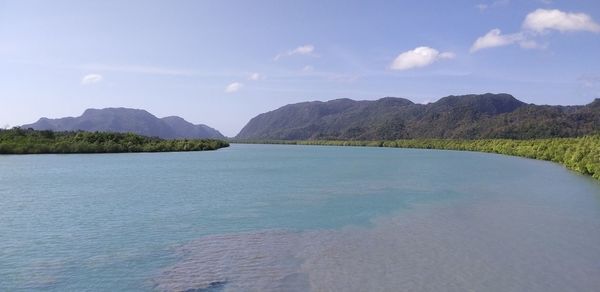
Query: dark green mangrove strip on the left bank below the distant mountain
20	141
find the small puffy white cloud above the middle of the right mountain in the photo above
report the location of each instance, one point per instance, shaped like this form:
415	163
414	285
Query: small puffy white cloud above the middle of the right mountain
419	57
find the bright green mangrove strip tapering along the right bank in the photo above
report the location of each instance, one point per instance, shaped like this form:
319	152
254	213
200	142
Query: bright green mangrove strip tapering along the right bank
579	154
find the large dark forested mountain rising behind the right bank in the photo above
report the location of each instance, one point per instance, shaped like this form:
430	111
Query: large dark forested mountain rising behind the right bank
466	116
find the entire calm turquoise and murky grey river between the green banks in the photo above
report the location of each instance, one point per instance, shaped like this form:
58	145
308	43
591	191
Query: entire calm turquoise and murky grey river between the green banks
296	218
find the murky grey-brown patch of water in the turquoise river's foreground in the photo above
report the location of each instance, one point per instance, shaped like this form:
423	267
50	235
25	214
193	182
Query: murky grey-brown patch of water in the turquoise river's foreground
481	246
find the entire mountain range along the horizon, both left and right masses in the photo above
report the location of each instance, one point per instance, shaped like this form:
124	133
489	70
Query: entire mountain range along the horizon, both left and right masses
474	116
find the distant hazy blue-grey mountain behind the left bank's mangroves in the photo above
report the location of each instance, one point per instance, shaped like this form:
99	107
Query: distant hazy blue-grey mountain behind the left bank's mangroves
128	120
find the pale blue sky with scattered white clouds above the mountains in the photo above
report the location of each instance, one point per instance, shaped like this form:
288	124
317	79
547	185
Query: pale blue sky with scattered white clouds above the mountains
223	62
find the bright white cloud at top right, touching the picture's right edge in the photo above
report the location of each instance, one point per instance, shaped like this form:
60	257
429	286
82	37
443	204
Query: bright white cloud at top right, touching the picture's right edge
543	20
